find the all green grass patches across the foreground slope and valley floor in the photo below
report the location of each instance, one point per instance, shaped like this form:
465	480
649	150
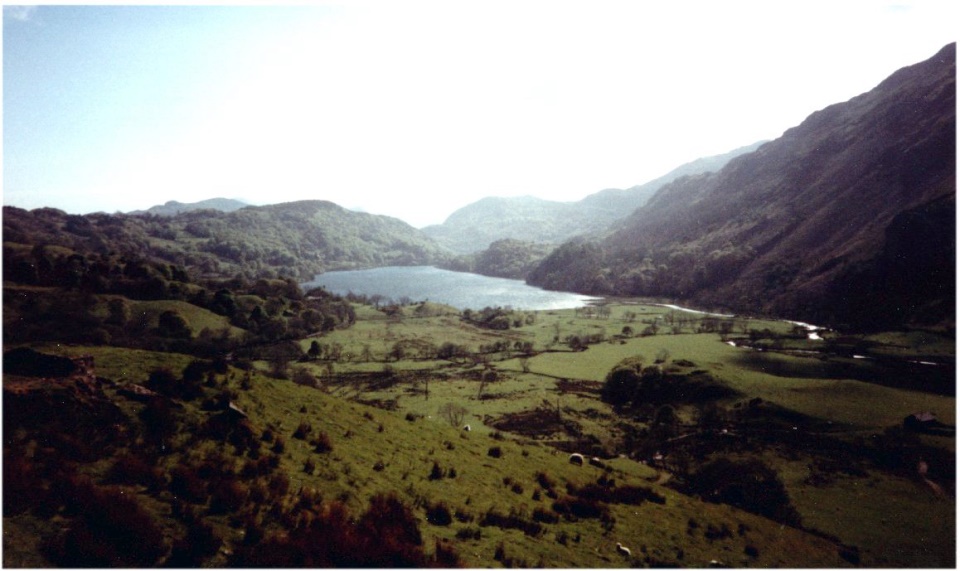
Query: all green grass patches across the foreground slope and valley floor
876	513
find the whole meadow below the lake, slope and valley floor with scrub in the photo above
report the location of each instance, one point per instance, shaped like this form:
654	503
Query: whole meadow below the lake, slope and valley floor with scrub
380	407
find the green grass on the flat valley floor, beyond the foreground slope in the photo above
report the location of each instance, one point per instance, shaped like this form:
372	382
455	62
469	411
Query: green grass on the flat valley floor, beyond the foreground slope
857	407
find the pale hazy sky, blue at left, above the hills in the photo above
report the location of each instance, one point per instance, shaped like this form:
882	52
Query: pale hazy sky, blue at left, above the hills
415	108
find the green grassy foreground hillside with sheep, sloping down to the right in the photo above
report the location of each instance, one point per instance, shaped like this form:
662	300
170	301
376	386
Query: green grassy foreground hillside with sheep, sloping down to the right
408	450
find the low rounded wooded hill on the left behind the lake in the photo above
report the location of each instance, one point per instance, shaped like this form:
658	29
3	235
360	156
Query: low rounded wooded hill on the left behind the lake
295	239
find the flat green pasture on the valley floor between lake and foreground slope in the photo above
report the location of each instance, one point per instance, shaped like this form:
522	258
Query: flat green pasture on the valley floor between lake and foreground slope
859	511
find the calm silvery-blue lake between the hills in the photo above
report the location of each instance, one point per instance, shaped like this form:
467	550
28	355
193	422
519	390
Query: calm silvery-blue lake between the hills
459	289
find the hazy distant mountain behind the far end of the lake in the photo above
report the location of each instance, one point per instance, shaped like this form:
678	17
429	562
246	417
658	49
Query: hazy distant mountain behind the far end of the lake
530	219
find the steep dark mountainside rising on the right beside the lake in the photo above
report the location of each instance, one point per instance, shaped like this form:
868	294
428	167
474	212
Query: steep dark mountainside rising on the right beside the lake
848	218
